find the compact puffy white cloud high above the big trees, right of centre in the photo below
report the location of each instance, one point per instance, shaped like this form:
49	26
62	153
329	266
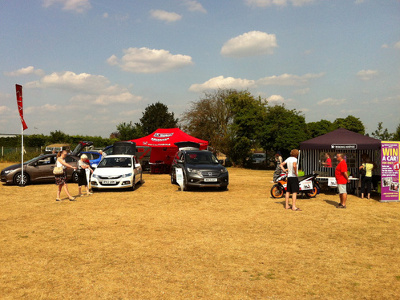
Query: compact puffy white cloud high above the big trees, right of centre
249	44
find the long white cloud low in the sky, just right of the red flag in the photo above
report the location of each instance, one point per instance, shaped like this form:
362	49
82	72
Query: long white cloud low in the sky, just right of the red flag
88	88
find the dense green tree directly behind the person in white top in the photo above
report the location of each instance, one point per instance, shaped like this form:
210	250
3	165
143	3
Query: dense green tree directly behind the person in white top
283	129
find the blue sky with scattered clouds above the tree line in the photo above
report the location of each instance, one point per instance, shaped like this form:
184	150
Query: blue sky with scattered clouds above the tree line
88	65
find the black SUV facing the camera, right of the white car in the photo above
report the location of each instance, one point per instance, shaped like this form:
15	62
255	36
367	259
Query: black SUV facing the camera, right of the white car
200	169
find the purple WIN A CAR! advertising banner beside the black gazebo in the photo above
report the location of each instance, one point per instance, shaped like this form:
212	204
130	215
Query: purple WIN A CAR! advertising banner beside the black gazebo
390	171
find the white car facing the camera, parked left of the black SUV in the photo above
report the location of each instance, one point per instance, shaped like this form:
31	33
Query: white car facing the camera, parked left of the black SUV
117	171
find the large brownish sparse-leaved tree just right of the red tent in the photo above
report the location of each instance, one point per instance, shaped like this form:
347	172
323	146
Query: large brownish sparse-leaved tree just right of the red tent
209	119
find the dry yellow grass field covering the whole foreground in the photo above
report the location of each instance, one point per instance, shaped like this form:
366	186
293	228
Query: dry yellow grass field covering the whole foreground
160	243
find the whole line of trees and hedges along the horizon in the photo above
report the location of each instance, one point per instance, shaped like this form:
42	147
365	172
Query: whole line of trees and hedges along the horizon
233	122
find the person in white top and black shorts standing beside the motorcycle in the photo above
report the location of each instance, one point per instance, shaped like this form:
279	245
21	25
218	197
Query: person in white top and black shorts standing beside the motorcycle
293	181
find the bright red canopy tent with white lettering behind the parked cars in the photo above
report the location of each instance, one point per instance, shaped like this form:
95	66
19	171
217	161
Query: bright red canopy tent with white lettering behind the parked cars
162	143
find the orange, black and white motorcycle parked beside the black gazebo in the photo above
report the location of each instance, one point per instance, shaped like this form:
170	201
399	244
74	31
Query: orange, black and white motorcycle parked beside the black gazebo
308	185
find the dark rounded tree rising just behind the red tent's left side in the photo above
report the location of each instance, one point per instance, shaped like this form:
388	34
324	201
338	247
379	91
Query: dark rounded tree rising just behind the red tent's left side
157	116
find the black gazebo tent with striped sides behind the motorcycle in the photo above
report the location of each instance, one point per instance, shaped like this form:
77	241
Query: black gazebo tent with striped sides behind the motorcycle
352	144
